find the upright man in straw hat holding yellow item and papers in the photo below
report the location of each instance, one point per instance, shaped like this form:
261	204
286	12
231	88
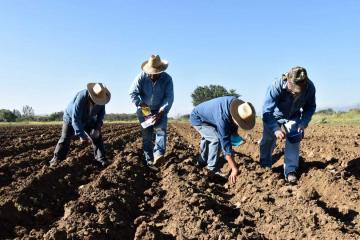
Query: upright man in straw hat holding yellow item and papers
153	95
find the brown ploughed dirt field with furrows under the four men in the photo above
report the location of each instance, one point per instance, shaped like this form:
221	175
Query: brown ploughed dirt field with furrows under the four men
80	200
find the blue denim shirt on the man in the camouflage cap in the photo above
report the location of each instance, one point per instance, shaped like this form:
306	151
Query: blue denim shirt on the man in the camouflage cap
280	104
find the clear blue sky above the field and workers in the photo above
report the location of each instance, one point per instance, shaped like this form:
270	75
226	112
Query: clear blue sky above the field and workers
49	49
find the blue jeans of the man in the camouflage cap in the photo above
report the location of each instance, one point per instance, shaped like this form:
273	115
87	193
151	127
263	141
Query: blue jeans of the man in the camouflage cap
267	145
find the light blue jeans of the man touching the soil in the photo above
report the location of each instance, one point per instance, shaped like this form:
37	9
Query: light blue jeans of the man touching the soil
209	146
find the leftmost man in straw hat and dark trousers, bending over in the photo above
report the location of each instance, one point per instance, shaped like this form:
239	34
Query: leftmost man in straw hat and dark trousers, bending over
84	118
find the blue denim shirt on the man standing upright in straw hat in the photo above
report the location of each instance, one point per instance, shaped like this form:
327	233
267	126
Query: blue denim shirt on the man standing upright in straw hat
155	95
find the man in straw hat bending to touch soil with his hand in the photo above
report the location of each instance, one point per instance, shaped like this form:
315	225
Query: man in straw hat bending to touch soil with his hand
217	120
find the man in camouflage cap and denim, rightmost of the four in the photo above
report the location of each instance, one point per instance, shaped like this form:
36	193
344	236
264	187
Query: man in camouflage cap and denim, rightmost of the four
288	107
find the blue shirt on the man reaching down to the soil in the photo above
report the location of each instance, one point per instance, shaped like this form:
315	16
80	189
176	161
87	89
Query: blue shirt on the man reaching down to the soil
216	113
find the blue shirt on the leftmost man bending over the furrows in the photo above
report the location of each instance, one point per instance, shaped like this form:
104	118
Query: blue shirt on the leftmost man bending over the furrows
78	113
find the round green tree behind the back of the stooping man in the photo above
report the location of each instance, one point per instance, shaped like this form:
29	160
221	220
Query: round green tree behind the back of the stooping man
205	93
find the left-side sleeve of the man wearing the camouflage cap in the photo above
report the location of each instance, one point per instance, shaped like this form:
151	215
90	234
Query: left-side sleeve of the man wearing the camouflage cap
271	98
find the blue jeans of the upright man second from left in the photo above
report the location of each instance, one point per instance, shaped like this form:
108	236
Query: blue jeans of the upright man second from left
159	128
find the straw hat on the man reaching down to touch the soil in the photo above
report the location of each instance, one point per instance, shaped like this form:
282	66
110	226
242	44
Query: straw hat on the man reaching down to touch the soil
243	114
